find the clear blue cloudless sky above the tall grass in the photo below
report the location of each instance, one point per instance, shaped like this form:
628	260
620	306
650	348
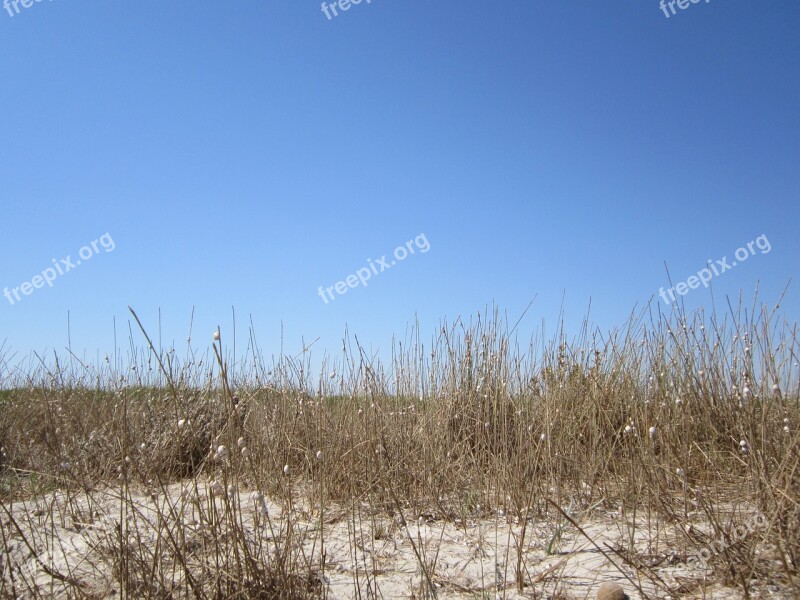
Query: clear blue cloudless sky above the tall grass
242	154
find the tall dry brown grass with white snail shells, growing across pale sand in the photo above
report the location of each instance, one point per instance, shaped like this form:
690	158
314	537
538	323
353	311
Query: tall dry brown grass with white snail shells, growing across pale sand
466	429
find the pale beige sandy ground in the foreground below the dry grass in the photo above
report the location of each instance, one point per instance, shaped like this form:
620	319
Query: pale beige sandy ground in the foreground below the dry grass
366	555
